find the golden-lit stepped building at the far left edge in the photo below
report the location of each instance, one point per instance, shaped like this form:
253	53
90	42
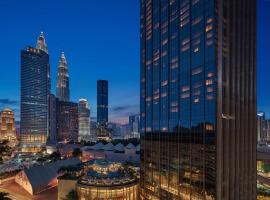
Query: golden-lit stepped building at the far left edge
7	126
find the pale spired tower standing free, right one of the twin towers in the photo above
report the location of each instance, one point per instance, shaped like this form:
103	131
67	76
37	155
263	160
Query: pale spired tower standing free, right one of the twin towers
62	90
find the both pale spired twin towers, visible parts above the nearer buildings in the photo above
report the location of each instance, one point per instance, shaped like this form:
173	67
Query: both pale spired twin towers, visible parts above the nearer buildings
62	88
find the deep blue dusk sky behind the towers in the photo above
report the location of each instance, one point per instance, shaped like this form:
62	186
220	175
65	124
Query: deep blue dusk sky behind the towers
101	41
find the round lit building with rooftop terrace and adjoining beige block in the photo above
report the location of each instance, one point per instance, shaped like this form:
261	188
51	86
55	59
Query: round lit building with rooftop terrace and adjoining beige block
102	179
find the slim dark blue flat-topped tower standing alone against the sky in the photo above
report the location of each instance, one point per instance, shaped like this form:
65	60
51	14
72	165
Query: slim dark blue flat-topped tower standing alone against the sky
102	101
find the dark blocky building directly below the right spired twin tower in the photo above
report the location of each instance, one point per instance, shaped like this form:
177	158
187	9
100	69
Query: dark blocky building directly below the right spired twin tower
67	121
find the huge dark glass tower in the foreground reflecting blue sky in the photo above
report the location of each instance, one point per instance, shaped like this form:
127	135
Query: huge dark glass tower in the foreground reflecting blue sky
198	99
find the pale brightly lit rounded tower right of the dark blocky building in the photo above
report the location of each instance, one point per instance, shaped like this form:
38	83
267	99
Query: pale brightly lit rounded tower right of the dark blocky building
84	120
